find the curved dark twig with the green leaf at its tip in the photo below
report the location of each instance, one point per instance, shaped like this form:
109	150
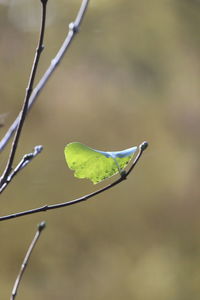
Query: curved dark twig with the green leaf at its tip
124	175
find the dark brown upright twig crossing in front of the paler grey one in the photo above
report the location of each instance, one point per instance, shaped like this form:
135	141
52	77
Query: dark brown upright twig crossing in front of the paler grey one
29	90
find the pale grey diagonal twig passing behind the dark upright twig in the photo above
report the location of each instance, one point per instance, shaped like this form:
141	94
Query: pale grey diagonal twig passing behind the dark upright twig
73	29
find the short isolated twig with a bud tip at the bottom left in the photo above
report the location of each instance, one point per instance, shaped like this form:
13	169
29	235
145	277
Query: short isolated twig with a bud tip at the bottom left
40	228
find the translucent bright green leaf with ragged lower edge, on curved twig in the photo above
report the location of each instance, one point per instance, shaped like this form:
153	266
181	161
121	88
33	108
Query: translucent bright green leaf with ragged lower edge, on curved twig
94	164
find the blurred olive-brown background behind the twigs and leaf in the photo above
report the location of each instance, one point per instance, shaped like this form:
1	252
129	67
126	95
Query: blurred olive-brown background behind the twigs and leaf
131	74
